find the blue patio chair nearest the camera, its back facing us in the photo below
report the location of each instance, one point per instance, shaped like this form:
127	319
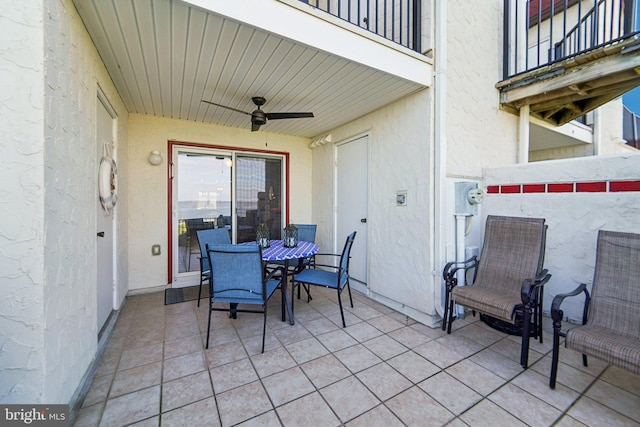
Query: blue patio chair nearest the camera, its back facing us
238	278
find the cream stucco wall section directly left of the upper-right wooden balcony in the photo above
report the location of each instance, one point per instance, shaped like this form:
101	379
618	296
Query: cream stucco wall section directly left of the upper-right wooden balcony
479	134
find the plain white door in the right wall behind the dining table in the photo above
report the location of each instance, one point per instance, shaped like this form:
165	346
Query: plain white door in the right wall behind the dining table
352	183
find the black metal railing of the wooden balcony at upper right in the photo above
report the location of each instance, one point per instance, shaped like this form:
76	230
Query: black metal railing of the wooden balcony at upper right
542	32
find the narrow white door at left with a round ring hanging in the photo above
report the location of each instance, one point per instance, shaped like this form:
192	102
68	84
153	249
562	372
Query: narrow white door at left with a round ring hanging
104	224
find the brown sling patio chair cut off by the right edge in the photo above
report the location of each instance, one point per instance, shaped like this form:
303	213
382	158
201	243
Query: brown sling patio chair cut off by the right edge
610	328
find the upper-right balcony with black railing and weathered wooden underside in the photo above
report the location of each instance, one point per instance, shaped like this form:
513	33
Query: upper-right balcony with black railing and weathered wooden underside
565	58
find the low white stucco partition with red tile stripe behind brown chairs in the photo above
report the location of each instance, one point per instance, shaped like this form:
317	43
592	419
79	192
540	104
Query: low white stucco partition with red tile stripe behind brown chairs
573	218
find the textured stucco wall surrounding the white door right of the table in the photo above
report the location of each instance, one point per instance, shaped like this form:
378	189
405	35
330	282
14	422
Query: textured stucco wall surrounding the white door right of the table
398	249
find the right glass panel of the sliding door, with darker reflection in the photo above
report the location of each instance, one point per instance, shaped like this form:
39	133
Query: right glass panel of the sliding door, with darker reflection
259	196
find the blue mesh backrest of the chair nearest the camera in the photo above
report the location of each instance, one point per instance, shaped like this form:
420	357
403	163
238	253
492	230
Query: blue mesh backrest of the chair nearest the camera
236	272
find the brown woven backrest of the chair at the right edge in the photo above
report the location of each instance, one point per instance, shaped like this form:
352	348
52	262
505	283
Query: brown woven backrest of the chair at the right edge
615	296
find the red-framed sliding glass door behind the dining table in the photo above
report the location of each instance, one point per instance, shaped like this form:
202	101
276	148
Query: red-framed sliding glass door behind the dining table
213	188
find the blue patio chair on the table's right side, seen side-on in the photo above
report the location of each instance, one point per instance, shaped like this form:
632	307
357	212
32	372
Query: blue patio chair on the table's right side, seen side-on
328	276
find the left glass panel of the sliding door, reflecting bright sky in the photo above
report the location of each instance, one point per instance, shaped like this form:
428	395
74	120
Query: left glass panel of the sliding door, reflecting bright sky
203	201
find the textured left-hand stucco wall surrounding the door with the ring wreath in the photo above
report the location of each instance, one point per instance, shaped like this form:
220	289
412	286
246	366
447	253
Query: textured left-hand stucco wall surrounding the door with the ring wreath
73	70
